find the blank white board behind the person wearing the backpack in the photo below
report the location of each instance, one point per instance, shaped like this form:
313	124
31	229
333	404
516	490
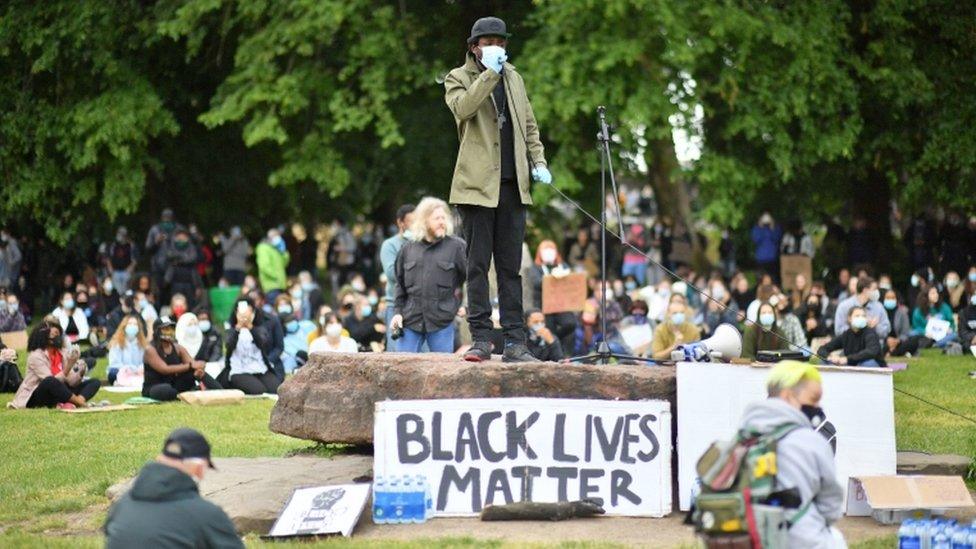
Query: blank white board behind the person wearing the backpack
858	401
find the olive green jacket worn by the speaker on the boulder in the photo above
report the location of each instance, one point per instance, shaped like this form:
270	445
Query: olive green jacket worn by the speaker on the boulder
477	174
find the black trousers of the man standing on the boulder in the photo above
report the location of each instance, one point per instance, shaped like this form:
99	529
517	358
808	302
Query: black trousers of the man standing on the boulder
497	232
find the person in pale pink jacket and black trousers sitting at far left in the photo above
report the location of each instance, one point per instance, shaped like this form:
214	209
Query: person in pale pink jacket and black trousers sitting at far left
54	377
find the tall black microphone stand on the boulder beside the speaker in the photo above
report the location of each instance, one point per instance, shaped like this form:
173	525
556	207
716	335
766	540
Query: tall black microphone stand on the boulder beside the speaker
603	353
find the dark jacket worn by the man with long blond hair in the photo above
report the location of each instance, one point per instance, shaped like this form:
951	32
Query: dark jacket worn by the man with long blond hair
429	277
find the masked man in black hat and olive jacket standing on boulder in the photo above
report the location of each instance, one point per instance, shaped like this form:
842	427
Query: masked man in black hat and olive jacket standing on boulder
500	153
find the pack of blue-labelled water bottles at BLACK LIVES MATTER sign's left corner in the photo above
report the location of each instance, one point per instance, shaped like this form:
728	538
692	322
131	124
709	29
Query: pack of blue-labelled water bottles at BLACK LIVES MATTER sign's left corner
401	499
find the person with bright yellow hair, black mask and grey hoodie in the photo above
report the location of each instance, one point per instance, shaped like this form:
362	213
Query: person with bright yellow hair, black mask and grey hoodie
804	457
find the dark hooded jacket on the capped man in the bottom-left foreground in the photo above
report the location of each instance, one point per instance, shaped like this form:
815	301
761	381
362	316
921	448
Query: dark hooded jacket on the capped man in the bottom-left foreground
164	509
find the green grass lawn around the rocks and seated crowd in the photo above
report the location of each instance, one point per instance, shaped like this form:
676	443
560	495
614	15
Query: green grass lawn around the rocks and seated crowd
56	466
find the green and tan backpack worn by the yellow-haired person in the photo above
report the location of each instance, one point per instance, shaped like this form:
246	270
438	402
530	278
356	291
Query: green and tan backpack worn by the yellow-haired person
734	508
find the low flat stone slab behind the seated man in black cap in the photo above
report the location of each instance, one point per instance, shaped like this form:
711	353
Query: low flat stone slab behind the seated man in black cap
252	491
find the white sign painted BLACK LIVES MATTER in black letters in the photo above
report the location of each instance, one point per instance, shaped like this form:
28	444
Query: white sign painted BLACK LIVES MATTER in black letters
476	452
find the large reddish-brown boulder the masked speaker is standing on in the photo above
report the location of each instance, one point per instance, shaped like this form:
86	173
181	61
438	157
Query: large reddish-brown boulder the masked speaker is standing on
331	398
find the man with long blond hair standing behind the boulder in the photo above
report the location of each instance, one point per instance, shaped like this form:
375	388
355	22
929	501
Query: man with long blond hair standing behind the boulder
430	271
